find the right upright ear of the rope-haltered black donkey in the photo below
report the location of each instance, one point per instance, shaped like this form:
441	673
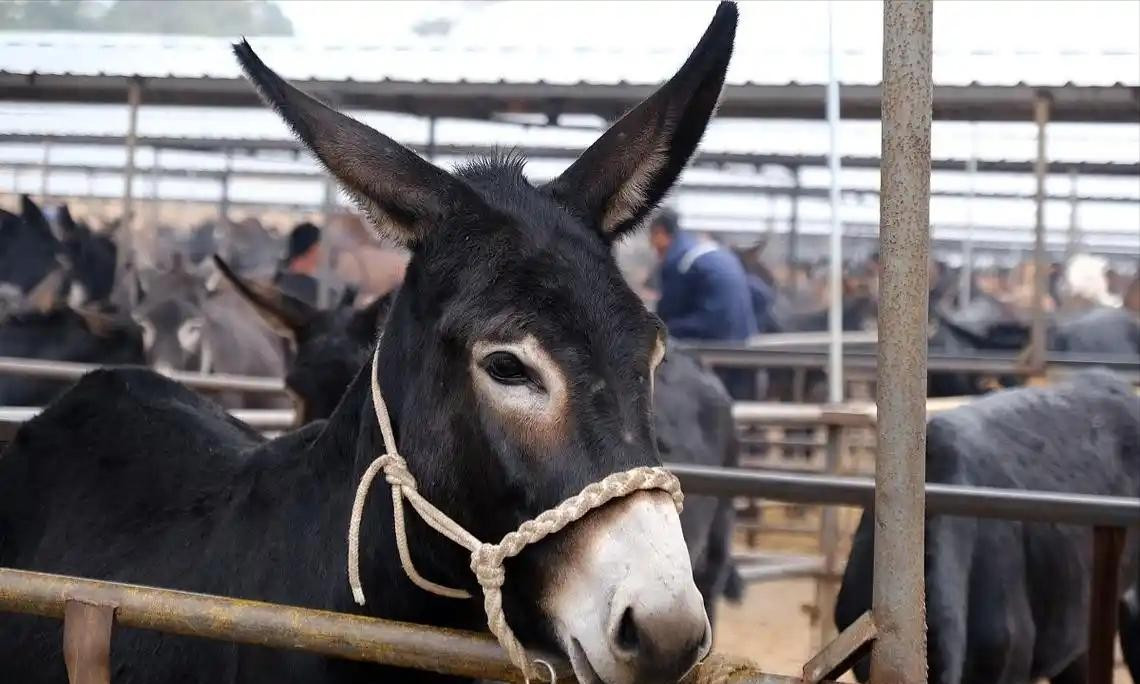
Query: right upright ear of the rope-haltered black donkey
623	176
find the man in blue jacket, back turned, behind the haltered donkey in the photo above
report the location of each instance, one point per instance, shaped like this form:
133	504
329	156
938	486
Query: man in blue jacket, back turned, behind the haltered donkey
705	295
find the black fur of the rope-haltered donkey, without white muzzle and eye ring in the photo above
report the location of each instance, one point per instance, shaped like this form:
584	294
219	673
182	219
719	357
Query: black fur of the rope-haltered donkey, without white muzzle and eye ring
132	477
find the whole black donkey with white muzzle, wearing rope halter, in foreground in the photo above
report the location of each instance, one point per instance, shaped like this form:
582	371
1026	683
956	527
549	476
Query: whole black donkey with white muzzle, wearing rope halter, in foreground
517	370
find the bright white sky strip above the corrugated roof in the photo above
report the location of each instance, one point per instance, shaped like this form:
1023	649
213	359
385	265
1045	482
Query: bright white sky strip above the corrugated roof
960	26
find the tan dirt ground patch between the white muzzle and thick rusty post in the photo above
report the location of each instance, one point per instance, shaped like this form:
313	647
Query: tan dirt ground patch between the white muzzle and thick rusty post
771	629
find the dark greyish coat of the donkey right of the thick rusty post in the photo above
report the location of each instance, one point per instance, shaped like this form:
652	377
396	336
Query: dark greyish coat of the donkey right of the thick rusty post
1007	602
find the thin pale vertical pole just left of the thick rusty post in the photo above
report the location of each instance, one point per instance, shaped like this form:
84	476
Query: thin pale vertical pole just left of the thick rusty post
836	271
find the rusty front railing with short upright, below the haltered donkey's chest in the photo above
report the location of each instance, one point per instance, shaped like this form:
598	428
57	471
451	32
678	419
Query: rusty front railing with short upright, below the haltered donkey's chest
92	608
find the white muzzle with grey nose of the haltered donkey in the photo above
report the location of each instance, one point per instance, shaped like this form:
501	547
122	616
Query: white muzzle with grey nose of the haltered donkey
626	609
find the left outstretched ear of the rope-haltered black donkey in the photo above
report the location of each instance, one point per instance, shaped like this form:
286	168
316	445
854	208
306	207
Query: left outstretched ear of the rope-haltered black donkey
403	194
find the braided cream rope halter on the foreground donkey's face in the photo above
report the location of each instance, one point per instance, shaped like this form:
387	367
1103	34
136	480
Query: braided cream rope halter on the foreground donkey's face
486	559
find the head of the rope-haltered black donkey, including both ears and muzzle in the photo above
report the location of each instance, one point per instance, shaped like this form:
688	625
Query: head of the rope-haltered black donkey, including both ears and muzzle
517	363
